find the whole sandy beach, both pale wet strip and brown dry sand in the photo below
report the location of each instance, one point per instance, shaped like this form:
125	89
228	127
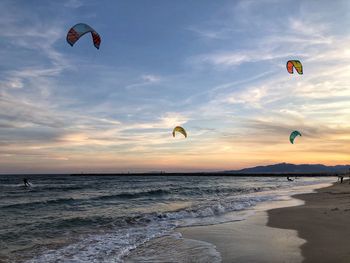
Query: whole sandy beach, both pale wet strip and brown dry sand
311	227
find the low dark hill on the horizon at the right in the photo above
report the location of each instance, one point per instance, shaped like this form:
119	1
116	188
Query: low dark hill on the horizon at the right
287	168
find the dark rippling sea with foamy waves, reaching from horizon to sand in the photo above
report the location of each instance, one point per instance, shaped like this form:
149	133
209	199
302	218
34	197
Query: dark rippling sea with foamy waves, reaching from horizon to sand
130	218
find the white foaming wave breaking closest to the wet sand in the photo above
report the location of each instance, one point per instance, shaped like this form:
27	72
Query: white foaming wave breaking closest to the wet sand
134	231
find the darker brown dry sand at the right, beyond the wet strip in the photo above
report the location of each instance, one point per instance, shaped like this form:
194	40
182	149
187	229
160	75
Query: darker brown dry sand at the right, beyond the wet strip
323	221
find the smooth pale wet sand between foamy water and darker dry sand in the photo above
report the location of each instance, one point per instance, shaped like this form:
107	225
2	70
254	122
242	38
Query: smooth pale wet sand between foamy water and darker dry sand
251	240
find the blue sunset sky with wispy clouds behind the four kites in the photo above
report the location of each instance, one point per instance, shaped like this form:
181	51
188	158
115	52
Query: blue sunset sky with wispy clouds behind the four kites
217	68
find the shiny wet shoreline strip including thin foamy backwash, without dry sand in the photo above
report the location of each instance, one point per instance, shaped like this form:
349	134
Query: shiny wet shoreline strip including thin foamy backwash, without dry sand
244	241
